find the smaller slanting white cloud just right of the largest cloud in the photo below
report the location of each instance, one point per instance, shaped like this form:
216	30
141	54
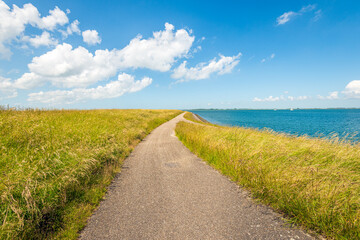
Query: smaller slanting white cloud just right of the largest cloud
202	71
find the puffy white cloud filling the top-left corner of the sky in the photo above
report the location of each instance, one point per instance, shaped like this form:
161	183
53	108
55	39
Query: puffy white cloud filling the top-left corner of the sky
13	23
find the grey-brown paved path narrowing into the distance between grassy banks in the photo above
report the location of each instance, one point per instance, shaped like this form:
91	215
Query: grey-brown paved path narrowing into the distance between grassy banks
166	192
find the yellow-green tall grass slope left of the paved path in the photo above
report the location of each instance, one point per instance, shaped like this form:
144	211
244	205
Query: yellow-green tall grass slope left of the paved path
55	165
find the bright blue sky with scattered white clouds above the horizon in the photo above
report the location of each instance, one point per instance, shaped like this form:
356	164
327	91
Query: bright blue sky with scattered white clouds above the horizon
180	54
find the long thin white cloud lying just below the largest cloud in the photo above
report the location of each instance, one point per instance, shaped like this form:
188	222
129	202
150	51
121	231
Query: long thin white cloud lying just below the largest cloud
124	84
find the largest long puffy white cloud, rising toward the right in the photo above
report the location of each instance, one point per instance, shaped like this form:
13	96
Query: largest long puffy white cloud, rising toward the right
68	67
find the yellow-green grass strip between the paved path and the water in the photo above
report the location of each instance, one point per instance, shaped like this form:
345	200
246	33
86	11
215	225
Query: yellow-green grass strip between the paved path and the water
315	182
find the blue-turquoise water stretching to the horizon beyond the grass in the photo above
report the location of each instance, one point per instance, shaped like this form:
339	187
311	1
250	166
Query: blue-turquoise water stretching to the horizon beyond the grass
311	122
